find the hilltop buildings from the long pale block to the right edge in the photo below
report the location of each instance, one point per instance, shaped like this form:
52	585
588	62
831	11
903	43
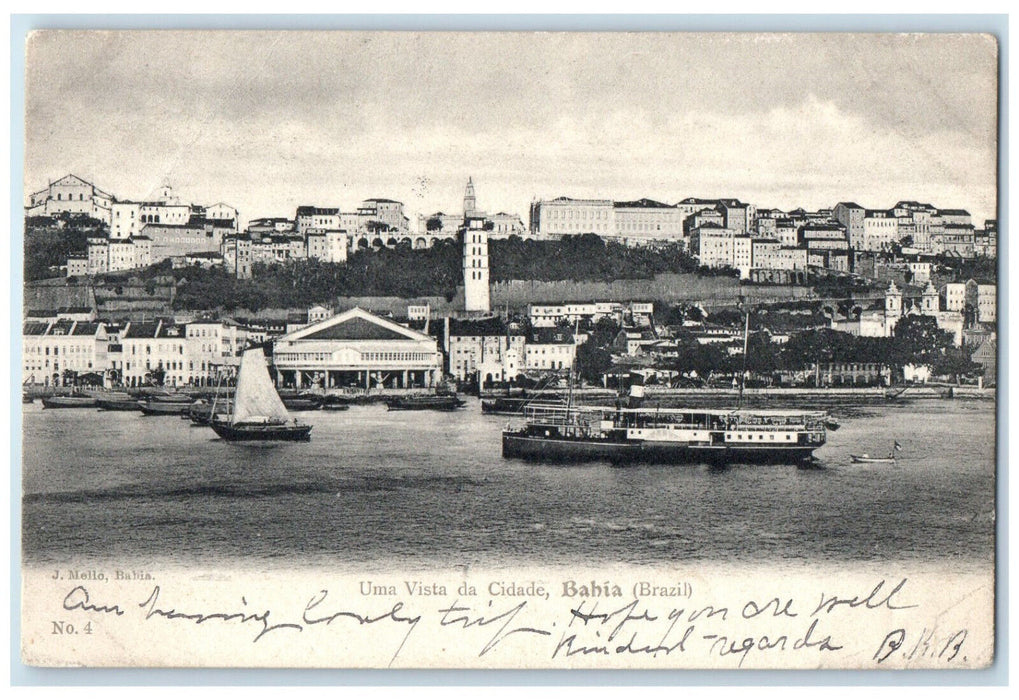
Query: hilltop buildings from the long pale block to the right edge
770	245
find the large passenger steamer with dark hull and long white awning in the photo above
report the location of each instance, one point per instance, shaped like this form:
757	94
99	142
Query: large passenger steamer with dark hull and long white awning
558	434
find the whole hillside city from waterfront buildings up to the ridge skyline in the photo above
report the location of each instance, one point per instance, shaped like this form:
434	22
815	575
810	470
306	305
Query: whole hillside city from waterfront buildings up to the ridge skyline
160	292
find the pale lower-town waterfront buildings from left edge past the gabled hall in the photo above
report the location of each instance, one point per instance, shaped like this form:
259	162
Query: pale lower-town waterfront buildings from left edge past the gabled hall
353	350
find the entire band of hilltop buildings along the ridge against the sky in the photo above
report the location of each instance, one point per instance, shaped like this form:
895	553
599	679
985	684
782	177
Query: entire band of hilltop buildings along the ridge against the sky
767	246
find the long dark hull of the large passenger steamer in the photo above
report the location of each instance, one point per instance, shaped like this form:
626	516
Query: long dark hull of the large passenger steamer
554	450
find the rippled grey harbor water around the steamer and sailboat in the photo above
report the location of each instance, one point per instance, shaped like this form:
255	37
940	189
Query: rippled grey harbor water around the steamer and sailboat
412	489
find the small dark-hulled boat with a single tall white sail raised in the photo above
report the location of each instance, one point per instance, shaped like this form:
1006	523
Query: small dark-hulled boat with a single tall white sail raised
258	412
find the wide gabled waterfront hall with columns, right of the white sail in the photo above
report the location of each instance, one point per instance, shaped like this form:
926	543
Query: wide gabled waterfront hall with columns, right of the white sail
357	349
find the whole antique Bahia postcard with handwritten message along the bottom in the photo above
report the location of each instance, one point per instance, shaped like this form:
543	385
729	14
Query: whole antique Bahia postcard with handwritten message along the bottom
510	350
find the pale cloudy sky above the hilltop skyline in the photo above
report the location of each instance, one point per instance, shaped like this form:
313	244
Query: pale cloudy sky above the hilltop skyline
270	121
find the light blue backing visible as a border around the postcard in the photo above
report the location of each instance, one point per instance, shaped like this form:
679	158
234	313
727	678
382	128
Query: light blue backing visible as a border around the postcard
22	25
